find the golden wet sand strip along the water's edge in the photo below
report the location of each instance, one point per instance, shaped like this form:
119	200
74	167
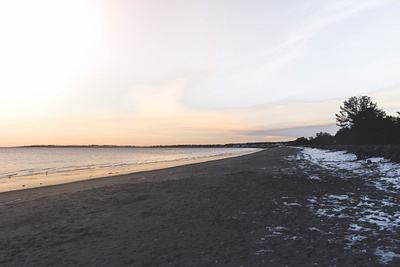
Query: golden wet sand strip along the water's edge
42	180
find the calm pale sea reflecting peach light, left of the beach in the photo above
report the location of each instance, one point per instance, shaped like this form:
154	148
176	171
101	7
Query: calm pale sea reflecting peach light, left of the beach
28	161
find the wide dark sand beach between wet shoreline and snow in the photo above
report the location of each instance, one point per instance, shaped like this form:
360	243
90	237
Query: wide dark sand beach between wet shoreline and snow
220	213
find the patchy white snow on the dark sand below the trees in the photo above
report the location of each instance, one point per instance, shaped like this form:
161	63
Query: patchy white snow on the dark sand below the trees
372	215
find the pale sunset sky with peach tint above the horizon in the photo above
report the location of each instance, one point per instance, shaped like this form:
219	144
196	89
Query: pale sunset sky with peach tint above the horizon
145	72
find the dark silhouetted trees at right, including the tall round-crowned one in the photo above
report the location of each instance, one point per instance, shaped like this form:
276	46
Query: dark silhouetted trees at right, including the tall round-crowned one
365	129
